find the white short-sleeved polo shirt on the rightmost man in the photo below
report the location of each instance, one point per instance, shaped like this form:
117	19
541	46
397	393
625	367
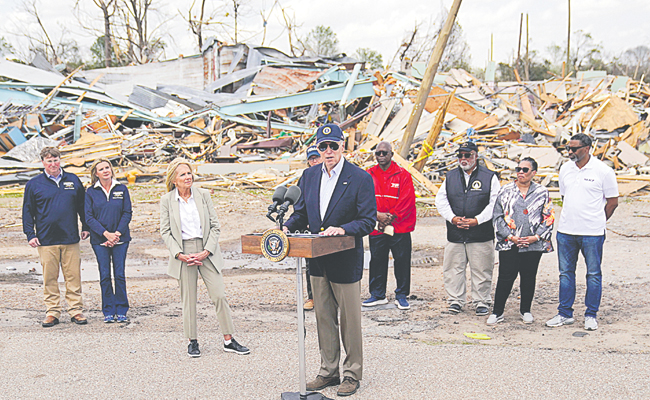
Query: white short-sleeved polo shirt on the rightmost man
585	191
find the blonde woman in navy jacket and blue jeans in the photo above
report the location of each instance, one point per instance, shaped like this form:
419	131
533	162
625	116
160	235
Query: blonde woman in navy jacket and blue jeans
108	213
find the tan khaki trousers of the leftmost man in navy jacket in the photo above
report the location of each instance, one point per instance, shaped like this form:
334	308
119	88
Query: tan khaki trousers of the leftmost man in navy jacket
65	256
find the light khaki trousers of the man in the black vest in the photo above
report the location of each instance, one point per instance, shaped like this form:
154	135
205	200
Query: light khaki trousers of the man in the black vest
480	257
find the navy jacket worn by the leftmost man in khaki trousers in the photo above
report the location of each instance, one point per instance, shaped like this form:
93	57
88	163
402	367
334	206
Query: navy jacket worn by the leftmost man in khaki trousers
50	211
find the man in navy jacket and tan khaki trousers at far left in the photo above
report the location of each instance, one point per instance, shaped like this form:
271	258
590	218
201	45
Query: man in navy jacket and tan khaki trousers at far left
51	205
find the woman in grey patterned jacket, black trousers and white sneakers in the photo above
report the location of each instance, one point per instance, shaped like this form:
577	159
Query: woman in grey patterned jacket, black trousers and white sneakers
523	219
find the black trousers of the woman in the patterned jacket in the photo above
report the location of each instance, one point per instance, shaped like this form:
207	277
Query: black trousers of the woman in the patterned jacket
512	263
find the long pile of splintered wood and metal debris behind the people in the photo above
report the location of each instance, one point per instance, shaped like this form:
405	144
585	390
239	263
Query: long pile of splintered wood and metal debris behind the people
246	115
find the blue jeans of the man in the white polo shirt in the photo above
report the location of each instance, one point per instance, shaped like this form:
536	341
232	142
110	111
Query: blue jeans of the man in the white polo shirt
568	247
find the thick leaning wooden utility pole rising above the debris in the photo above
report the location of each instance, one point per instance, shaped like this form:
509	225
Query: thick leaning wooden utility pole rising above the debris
427	80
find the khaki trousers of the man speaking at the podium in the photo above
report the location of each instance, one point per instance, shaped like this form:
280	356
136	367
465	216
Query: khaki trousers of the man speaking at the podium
329	297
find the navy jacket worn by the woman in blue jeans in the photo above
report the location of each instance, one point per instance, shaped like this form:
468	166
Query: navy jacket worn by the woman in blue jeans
110	215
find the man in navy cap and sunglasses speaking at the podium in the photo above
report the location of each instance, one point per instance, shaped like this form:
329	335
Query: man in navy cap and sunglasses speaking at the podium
338	198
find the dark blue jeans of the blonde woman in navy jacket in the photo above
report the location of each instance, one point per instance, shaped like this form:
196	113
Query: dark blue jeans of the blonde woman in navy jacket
114	302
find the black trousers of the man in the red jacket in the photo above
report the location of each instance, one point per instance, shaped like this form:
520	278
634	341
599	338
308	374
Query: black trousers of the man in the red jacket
380	246
